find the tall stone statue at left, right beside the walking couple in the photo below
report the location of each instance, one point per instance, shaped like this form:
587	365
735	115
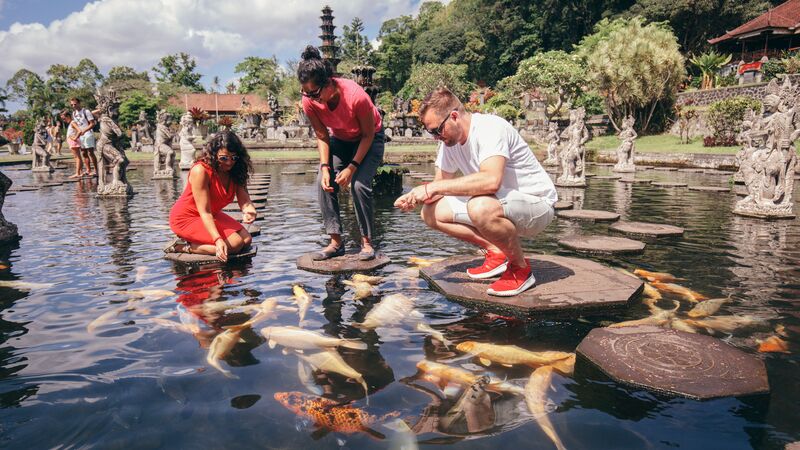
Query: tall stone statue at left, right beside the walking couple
110	155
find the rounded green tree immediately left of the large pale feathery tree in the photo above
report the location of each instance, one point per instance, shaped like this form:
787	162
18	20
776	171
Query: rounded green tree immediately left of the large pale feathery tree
556	74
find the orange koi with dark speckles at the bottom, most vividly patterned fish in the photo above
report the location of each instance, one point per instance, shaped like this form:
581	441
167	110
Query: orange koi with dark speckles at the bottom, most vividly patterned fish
329	414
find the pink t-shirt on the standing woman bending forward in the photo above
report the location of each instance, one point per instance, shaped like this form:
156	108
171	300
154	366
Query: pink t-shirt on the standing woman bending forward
342	122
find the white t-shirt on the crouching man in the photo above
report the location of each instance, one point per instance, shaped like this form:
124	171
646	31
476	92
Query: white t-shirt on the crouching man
489	136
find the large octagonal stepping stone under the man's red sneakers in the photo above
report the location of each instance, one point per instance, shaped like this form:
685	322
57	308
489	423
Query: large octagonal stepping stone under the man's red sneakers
564	286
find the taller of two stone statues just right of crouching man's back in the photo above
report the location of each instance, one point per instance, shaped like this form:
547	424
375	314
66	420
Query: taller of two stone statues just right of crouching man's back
573	157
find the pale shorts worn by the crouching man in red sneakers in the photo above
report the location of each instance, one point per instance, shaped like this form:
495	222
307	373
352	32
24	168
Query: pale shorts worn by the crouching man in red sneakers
530	214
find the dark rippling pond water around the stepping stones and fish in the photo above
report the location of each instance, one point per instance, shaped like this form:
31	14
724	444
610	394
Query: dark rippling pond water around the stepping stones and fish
131	383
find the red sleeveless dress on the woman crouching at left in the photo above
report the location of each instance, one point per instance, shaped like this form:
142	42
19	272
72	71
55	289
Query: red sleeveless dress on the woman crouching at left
185	221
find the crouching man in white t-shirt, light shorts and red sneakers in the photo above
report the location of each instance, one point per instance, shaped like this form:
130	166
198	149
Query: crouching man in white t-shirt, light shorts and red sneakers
503	193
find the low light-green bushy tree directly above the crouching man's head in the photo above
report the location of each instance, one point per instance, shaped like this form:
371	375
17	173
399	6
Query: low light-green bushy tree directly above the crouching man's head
427	77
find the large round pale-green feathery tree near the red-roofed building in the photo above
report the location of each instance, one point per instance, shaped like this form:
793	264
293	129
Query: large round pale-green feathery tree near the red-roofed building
635	67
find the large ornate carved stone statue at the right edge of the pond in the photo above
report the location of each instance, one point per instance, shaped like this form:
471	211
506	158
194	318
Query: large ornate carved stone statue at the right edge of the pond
769	158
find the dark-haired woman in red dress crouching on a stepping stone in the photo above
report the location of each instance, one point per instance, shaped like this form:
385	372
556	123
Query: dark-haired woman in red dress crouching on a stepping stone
219	175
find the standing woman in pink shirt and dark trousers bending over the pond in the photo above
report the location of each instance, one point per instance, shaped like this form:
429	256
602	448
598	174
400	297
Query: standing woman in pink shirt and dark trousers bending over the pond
350	141
